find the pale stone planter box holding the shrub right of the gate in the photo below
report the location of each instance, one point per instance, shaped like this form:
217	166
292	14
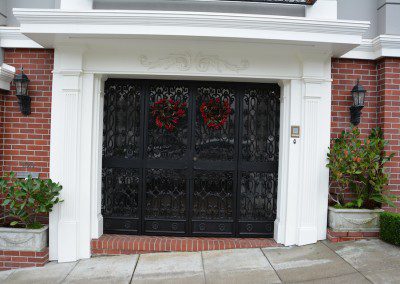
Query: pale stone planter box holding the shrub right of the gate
355	220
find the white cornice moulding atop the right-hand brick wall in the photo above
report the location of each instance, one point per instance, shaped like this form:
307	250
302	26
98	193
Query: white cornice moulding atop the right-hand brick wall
381	46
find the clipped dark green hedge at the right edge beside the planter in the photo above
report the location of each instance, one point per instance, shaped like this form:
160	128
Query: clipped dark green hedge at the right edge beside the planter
390	227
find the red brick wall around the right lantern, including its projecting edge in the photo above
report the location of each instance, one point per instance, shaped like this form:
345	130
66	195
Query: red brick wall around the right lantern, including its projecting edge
382	104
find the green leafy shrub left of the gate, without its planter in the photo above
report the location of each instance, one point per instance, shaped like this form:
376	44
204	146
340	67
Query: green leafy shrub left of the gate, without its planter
25	199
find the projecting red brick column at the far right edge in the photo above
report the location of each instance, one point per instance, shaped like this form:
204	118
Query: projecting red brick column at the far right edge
389	117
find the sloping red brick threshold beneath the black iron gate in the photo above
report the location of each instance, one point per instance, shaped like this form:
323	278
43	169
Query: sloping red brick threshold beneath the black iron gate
128	244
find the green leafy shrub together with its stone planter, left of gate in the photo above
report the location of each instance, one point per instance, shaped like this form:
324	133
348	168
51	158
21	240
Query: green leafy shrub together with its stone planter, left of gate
24	200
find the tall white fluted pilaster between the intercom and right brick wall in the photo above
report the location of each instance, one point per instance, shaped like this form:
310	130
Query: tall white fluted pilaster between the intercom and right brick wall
314	177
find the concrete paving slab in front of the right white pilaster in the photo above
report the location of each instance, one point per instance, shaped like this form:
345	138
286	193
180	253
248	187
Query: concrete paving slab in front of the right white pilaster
305	263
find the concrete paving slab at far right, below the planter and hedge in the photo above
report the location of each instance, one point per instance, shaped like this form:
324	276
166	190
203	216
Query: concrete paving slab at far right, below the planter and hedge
368	255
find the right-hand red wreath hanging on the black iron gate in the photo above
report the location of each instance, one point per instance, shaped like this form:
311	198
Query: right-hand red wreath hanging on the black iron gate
215	113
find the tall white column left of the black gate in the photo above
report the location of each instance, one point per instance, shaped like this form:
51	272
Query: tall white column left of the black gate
70	152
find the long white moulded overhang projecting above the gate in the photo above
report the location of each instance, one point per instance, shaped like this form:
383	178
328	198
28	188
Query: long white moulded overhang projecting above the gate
52	27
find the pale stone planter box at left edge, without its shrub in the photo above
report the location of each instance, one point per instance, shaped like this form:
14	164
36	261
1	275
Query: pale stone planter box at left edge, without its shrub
23	239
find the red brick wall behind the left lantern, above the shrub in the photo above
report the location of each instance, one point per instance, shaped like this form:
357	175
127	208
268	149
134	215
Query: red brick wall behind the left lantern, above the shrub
26	139
